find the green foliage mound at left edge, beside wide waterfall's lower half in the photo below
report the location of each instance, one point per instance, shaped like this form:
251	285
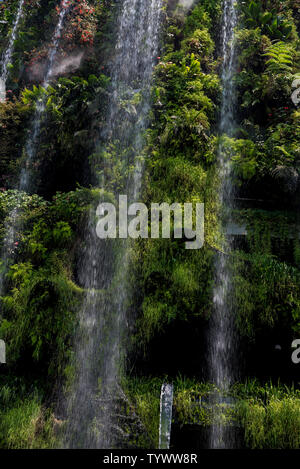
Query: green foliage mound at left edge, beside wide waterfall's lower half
42	299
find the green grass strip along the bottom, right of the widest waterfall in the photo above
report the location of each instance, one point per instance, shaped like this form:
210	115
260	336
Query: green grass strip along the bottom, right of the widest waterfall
269	414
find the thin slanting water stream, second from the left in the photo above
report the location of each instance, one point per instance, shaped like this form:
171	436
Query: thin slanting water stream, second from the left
11	224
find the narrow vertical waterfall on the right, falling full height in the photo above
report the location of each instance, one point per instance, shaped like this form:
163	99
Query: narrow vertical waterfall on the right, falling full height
221	335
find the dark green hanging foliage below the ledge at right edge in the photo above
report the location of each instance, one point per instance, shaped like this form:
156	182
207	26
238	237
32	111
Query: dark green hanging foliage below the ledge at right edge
267	295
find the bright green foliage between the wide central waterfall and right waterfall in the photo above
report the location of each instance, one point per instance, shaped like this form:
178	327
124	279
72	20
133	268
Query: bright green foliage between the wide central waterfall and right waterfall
176	284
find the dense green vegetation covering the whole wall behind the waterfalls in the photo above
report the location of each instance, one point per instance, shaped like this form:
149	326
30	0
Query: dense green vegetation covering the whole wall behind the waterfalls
173	300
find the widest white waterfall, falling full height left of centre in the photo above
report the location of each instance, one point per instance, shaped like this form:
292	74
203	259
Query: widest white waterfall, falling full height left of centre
94	399
